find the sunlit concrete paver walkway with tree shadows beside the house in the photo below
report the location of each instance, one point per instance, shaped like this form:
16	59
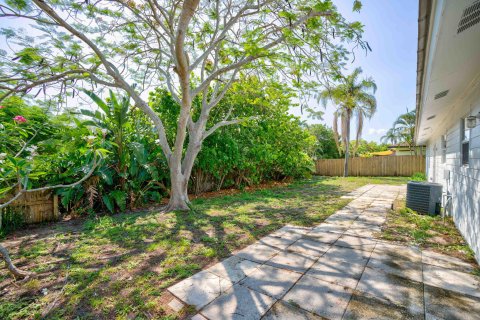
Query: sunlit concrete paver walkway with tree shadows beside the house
337	270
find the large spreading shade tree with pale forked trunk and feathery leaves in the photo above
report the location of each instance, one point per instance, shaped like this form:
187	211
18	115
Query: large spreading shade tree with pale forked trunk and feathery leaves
196	49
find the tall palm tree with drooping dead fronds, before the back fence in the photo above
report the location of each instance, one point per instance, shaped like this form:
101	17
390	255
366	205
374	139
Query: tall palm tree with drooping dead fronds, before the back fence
354	98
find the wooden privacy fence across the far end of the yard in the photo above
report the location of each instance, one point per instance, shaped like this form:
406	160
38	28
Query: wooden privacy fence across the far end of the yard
376	166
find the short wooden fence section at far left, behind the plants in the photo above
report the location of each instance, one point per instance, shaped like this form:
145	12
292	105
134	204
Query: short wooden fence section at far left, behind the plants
34	207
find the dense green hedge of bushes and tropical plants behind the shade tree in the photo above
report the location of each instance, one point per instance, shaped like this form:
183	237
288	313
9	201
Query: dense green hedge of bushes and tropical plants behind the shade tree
268	144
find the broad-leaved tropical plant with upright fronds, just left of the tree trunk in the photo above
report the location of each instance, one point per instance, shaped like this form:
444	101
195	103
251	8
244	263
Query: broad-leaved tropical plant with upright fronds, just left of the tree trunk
135	177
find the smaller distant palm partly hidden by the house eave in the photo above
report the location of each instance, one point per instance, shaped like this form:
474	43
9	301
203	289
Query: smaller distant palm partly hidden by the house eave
403	131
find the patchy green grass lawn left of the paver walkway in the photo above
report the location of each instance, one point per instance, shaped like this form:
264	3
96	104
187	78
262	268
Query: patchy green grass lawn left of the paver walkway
120	266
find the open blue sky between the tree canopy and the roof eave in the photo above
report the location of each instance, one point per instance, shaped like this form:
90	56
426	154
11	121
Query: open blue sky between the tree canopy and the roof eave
391	31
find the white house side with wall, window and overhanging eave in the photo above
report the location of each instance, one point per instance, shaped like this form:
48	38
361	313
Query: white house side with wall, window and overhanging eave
448	92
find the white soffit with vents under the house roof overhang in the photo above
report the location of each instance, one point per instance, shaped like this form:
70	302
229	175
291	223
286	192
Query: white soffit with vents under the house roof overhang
452	66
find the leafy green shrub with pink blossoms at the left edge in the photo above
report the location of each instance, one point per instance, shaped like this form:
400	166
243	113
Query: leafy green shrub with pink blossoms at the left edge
32	139
